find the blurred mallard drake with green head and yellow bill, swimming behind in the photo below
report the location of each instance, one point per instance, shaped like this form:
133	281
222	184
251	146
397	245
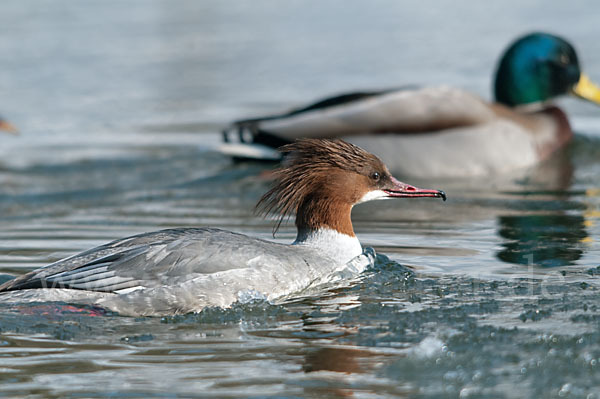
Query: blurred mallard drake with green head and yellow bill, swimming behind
462	134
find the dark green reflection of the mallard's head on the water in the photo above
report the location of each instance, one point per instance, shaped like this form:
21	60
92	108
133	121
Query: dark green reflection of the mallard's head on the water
545	240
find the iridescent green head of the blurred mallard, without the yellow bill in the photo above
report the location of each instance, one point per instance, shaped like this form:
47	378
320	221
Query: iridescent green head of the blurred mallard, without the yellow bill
535	68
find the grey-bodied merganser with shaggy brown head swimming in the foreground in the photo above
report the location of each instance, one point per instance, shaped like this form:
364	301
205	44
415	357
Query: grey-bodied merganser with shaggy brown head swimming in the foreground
185	270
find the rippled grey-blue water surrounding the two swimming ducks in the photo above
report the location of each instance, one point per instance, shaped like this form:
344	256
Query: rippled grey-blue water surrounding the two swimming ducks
120	107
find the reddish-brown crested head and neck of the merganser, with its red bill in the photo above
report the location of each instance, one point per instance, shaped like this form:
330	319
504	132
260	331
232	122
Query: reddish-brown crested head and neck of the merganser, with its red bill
320	181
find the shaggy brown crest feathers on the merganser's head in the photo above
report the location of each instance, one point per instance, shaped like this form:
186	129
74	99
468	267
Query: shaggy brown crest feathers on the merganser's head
307	165
